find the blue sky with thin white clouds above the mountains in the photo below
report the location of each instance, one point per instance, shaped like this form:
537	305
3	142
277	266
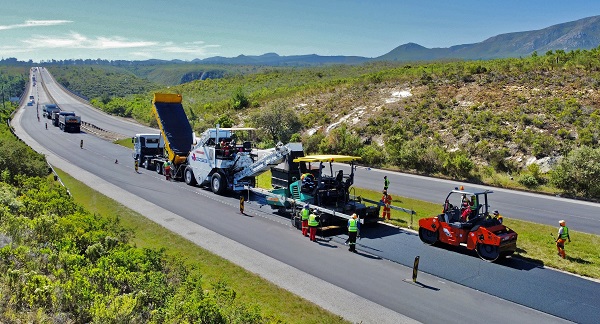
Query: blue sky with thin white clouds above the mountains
41	30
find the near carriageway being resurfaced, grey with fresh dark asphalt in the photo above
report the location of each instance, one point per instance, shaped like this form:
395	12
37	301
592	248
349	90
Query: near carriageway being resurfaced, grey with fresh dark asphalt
376	273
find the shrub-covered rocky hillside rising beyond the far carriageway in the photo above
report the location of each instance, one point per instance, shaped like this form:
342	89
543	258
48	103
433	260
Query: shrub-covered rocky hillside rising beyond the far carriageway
530	122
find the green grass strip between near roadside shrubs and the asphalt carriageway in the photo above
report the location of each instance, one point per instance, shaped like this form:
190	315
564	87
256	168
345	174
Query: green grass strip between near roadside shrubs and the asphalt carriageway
276	304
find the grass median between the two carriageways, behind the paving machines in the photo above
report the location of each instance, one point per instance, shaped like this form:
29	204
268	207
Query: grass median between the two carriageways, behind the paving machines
534	243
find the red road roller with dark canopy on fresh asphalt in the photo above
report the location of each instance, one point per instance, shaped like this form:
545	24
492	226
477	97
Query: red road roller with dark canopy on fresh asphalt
465	221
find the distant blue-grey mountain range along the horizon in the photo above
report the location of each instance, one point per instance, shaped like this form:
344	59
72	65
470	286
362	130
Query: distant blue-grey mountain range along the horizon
580	34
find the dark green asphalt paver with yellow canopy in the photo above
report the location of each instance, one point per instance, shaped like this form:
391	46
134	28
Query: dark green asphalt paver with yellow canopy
312	180
